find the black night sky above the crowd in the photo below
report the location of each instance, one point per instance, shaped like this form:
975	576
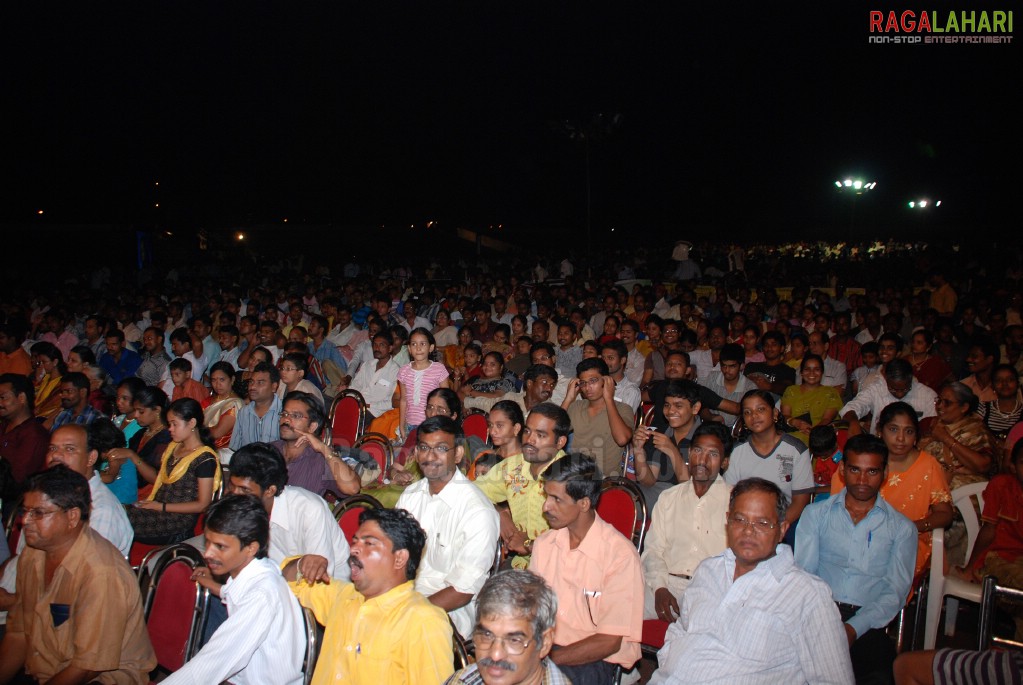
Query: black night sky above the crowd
736	120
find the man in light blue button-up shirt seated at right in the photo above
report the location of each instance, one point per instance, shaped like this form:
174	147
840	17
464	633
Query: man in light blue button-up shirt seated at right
866	552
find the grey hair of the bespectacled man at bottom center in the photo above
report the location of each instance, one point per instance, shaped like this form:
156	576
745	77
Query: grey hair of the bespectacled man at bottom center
522	595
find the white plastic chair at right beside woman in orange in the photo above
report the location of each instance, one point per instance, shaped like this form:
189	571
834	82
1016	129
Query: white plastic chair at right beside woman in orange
953	587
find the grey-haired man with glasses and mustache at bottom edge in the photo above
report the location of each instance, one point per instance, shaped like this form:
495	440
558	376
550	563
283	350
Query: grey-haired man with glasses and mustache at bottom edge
515	631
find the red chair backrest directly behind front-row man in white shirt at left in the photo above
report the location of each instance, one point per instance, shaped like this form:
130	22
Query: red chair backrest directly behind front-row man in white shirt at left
175	607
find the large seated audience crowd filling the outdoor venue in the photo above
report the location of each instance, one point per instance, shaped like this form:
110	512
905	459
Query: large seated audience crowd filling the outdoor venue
797	445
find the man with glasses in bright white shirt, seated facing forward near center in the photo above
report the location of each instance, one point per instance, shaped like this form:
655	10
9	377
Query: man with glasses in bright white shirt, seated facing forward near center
461	524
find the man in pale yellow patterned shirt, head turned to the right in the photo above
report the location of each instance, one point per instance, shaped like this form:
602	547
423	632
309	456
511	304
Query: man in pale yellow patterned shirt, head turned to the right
516	481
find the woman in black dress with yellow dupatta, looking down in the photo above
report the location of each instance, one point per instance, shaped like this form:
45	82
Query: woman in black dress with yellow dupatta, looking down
190	475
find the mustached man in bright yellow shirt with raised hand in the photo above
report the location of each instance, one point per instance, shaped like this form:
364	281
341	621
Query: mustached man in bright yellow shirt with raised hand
379	629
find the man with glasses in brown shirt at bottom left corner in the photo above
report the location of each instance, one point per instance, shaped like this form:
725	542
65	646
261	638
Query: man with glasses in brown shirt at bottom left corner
78	615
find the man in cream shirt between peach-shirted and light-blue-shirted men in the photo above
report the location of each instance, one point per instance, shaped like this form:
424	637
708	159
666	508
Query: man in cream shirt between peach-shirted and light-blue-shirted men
688	524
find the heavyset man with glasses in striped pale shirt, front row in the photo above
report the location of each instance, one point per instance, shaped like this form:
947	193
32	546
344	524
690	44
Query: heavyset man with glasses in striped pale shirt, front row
751	615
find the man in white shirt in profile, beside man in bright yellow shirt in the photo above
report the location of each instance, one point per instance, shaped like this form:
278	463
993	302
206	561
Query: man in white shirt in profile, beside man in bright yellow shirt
263	640
